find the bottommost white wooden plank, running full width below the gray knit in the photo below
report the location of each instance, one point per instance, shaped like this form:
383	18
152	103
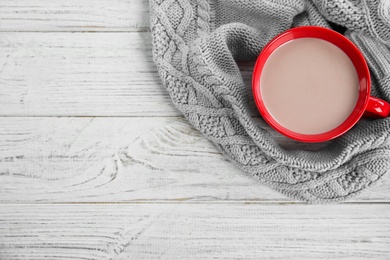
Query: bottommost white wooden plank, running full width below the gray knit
194	231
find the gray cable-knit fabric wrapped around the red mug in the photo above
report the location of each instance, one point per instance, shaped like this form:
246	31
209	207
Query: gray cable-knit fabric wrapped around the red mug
196	44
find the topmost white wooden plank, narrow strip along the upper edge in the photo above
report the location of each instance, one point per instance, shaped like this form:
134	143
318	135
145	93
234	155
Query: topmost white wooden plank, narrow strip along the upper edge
74	15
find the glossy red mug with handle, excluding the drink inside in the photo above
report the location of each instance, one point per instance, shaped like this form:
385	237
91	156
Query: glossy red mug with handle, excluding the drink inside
366	105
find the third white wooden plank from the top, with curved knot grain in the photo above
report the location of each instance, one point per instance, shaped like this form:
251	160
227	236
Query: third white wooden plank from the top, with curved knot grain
124	159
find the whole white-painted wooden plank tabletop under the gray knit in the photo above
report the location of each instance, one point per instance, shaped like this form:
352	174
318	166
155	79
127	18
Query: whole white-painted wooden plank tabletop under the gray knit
96	163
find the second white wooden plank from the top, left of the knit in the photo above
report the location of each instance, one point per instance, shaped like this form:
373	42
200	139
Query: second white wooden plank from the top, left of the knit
83	74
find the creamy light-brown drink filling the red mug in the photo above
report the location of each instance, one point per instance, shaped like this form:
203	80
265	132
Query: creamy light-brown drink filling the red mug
309	86
